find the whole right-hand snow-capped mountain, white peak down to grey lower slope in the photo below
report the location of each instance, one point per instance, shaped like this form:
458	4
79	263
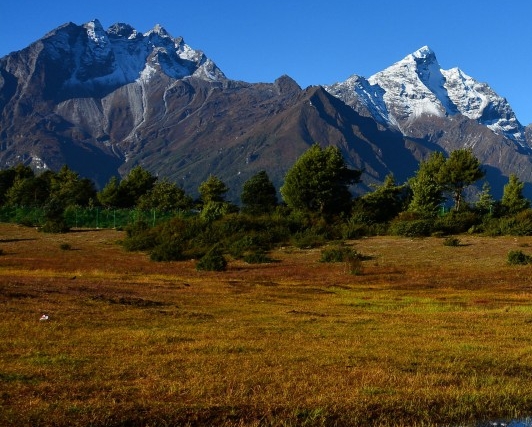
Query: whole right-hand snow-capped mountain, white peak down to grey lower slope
445	109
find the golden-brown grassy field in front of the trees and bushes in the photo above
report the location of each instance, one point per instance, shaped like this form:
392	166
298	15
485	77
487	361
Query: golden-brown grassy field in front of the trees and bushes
425	334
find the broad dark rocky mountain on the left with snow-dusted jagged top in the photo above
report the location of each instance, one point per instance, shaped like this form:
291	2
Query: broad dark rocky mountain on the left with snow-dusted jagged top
103	101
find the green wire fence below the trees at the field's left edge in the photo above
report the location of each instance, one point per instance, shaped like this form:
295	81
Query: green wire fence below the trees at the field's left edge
79	217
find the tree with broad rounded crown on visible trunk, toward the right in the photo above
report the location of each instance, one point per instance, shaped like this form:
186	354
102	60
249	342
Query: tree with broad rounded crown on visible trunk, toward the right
460	170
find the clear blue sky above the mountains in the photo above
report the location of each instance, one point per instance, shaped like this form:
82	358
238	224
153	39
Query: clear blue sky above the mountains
315	42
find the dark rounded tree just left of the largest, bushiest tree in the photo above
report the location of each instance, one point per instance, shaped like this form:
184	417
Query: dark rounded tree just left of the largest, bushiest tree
258	194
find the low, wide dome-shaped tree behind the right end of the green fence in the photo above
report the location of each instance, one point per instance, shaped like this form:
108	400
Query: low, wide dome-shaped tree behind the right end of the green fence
165	196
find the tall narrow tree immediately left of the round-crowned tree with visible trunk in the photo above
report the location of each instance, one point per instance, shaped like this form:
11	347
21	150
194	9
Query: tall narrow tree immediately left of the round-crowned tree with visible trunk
426	188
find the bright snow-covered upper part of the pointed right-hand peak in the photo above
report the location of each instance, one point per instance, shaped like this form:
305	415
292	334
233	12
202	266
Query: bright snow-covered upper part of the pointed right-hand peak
417	87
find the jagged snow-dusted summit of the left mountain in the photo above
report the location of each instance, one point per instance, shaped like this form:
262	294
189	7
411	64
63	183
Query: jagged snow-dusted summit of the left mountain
87	59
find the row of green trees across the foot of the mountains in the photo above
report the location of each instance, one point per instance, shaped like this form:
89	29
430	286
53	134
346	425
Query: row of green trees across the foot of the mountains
316	190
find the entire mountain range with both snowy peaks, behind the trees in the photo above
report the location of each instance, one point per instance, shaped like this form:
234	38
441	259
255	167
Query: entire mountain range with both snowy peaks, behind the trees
104	101
